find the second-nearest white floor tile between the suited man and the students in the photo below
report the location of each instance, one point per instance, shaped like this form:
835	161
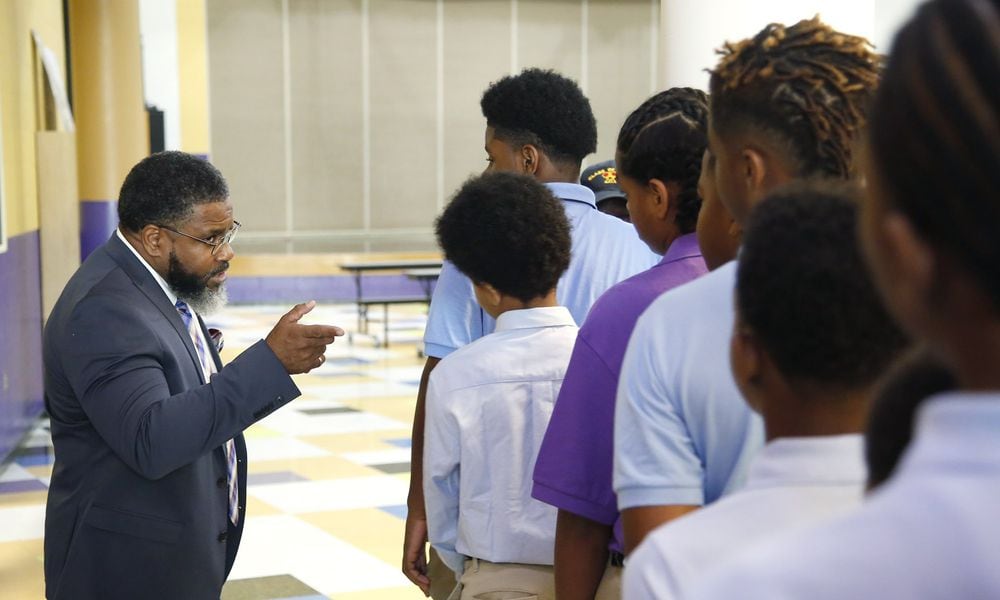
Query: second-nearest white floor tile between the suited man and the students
337	494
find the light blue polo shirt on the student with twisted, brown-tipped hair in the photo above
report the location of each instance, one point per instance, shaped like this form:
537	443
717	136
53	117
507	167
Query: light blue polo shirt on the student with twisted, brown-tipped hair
683	433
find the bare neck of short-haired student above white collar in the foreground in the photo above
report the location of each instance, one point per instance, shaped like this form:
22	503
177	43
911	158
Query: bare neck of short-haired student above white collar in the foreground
815	413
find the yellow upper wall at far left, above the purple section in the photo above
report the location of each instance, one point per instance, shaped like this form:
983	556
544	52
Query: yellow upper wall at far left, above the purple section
18	114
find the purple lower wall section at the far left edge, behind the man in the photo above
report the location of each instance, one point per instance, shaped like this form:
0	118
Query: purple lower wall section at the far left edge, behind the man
20	340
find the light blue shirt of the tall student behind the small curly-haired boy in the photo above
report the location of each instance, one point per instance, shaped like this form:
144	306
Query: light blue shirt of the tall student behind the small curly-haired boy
605	250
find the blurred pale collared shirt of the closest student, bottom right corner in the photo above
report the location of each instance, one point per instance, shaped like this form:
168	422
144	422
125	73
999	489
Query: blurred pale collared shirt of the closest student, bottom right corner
932	532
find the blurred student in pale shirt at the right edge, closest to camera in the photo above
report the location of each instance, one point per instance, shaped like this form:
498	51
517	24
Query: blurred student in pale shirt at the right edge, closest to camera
929	230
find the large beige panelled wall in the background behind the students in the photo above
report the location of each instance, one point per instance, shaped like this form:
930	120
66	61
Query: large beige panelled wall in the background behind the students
344	125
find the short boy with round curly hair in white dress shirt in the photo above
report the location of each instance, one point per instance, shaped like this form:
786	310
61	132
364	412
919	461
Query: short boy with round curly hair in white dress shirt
489	402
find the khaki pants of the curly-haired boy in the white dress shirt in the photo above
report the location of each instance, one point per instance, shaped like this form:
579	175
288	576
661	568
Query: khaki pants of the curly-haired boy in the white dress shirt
484	580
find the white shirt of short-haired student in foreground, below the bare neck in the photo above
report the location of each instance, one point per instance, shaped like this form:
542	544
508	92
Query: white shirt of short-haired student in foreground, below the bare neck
792	483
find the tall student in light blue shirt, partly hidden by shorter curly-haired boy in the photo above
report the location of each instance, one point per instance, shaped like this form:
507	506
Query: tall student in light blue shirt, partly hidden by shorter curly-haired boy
539	124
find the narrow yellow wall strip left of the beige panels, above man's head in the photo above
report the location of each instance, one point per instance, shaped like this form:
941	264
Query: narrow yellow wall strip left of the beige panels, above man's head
192	59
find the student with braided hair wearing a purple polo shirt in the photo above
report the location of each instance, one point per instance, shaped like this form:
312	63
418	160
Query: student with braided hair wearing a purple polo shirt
659	161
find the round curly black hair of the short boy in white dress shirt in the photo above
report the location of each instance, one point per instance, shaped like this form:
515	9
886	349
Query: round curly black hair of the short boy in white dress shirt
508	231
